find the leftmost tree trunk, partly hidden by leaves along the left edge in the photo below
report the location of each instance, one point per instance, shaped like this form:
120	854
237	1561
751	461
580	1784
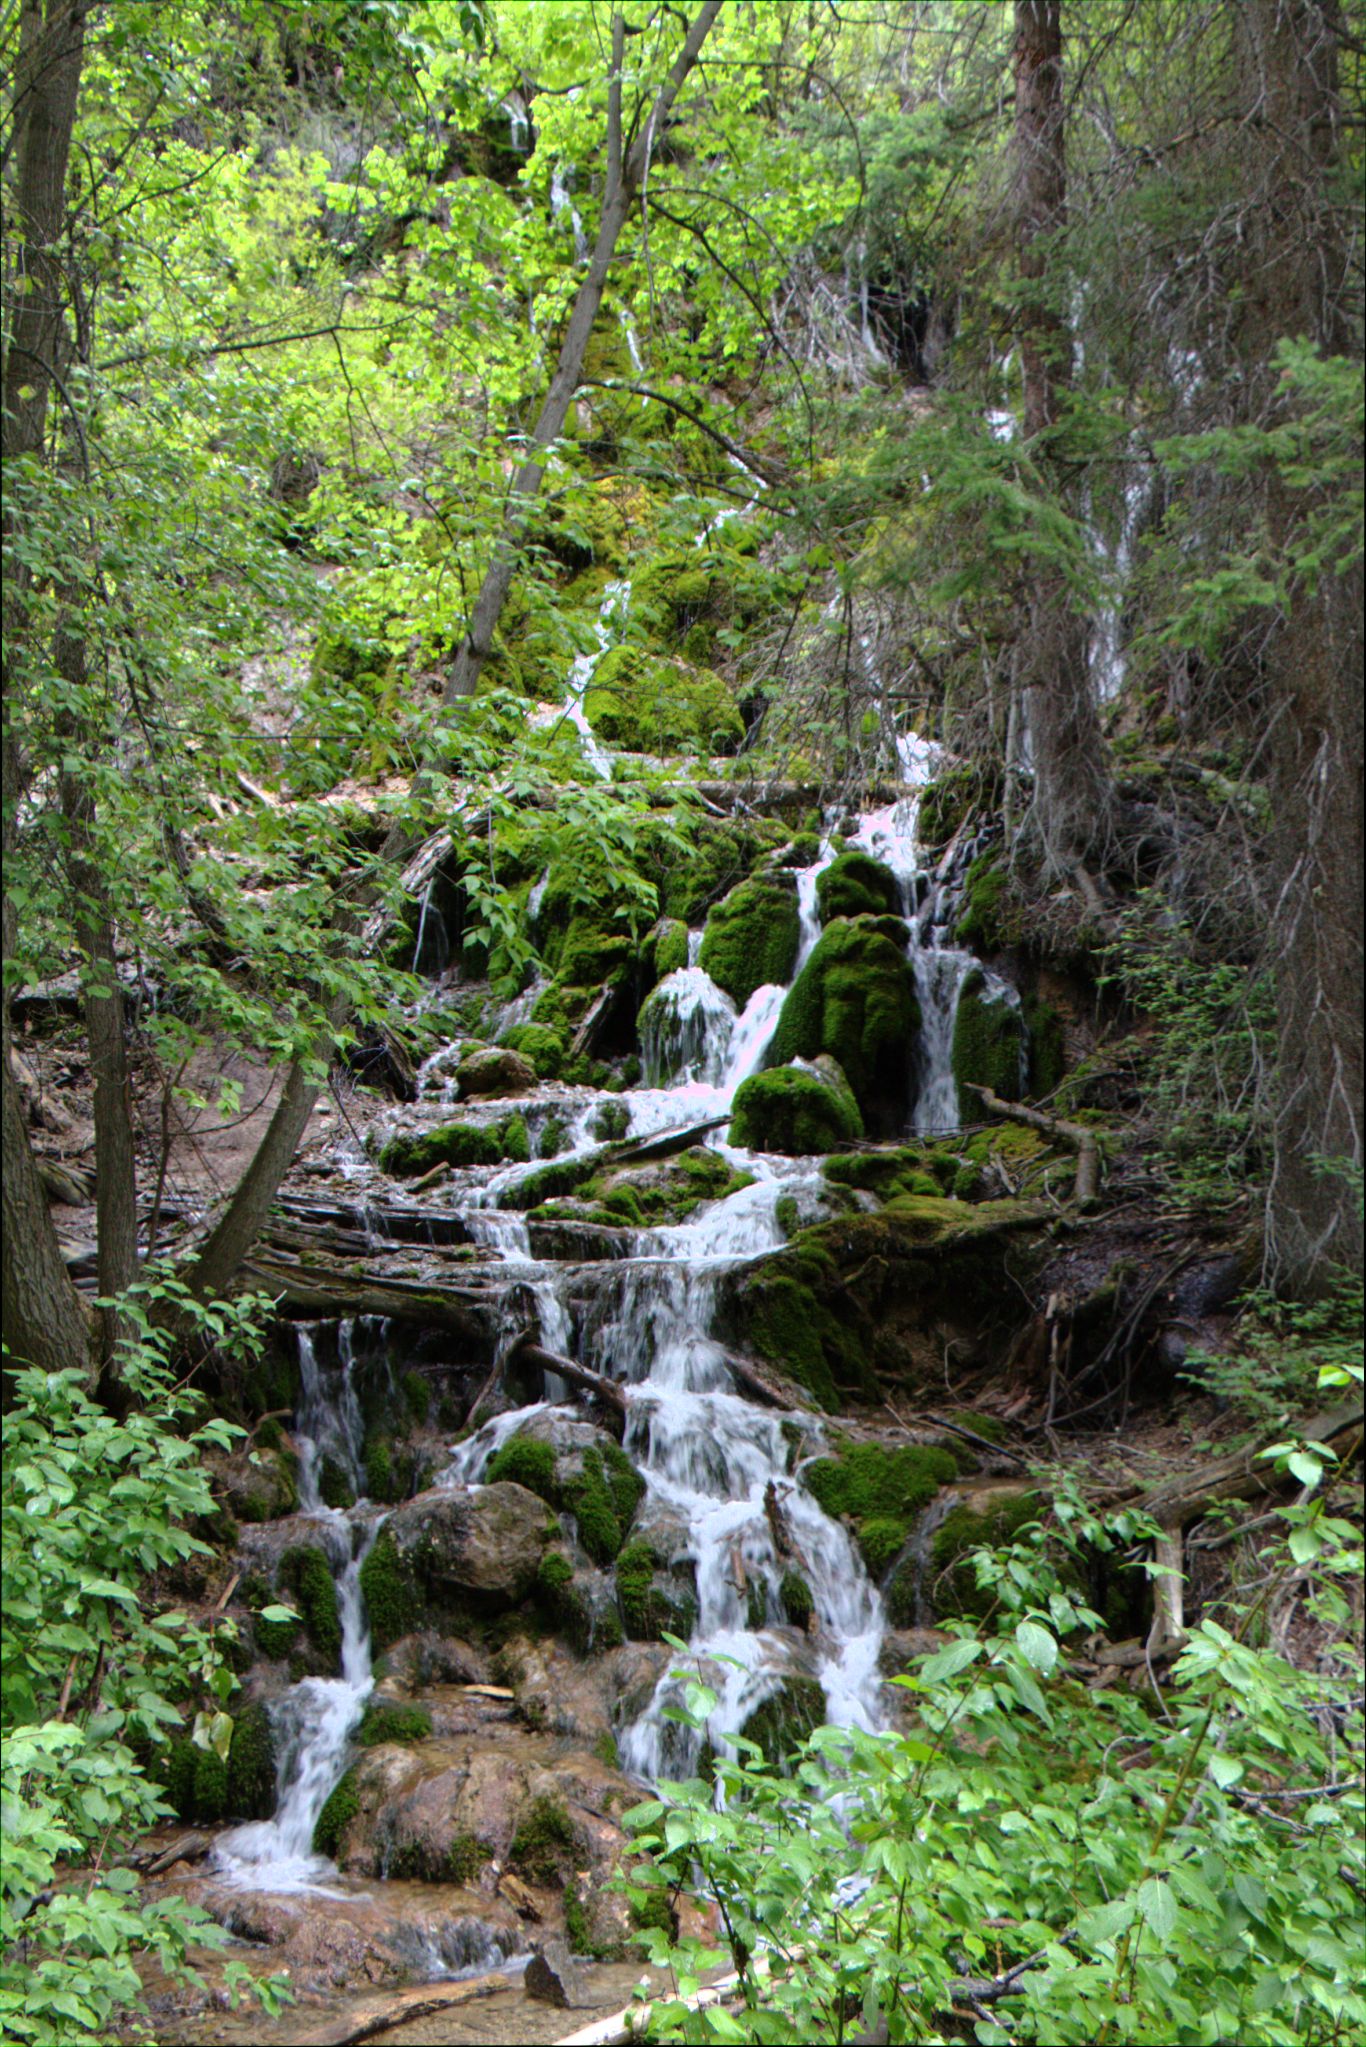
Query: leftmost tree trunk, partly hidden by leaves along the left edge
46	1321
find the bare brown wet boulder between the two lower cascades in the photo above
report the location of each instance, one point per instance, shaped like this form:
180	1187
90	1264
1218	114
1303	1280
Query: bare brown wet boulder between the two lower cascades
474	1544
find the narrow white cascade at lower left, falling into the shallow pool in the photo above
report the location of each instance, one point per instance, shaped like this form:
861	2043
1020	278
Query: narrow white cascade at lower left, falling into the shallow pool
314	1721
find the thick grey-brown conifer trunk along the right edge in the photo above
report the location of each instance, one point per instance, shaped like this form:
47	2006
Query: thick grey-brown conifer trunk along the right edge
1297	281
